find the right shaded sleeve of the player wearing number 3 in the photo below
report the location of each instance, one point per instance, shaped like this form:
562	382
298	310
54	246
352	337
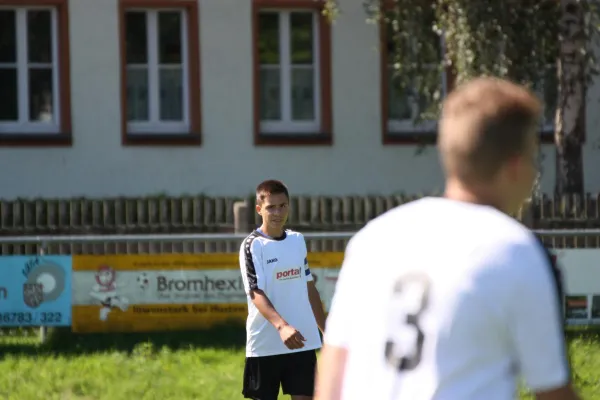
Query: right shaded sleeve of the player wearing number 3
536	321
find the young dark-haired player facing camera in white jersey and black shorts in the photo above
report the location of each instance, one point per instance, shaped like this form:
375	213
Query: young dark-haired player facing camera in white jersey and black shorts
285	312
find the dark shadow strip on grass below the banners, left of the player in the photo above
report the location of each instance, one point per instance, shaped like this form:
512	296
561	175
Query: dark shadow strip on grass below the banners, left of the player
63	342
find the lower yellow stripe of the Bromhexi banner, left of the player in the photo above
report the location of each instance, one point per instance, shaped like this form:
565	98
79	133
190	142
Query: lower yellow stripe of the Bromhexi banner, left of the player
156	317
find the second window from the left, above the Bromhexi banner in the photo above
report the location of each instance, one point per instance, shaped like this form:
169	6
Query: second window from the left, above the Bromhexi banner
161	75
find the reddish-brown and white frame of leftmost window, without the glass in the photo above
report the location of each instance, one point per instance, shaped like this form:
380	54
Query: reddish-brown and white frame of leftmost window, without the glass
29	133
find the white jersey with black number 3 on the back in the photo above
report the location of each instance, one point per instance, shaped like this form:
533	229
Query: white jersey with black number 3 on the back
445	300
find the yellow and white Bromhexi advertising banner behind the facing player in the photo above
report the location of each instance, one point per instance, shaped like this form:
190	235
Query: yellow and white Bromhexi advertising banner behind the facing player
124	293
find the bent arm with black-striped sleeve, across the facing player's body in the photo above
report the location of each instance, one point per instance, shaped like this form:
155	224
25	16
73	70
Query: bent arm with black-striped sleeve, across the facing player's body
251	264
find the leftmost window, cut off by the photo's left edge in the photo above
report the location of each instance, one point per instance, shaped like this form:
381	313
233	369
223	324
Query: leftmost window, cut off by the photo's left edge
34	103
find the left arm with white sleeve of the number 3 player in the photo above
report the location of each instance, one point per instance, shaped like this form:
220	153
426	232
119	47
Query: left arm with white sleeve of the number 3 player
332	363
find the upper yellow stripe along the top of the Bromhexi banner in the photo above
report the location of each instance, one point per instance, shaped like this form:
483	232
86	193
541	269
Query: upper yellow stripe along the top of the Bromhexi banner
210	261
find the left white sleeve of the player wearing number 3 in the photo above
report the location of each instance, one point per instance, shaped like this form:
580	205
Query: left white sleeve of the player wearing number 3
342	312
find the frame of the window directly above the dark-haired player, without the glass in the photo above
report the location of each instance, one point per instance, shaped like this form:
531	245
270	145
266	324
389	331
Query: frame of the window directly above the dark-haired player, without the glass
298	133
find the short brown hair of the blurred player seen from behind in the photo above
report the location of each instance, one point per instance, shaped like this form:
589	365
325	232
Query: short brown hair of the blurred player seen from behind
484	123
